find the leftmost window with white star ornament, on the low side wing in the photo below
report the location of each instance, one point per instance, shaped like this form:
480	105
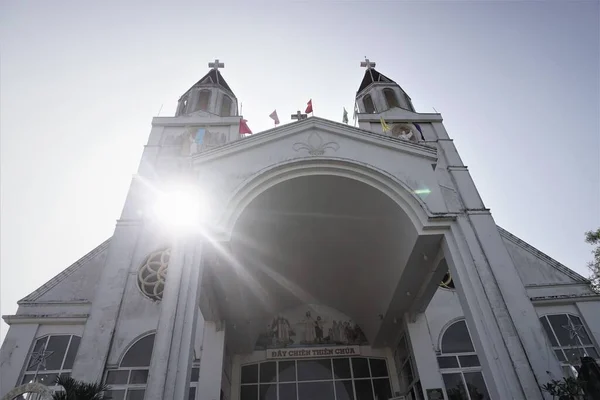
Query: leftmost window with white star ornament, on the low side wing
50	357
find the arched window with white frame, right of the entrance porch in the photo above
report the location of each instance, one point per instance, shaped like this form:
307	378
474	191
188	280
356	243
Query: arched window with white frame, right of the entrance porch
460	365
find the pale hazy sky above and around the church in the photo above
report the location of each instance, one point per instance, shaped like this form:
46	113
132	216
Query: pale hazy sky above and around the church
517	83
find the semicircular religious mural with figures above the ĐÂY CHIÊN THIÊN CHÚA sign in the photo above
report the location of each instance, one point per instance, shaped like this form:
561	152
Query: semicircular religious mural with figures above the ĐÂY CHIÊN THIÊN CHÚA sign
310	325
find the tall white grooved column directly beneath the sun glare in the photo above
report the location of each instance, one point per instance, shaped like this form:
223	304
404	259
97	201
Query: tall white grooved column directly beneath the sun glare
170	367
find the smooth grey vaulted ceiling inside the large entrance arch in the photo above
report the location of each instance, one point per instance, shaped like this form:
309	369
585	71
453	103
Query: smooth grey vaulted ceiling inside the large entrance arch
319	239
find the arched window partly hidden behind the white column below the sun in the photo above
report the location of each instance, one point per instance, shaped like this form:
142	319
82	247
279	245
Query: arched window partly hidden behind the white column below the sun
128	382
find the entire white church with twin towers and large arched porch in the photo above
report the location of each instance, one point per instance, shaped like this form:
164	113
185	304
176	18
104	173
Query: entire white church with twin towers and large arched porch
313	261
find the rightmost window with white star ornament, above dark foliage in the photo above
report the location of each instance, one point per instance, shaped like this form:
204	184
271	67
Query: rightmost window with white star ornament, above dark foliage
569	339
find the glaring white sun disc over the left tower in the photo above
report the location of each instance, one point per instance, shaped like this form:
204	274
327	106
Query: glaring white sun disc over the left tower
180	208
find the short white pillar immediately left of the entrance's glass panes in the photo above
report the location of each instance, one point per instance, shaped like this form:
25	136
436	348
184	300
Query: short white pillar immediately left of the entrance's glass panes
211	362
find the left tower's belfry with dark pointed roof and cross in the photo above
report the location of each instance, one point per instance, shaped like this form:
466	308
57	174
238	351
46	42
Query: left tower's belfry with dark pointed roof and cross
211	94
